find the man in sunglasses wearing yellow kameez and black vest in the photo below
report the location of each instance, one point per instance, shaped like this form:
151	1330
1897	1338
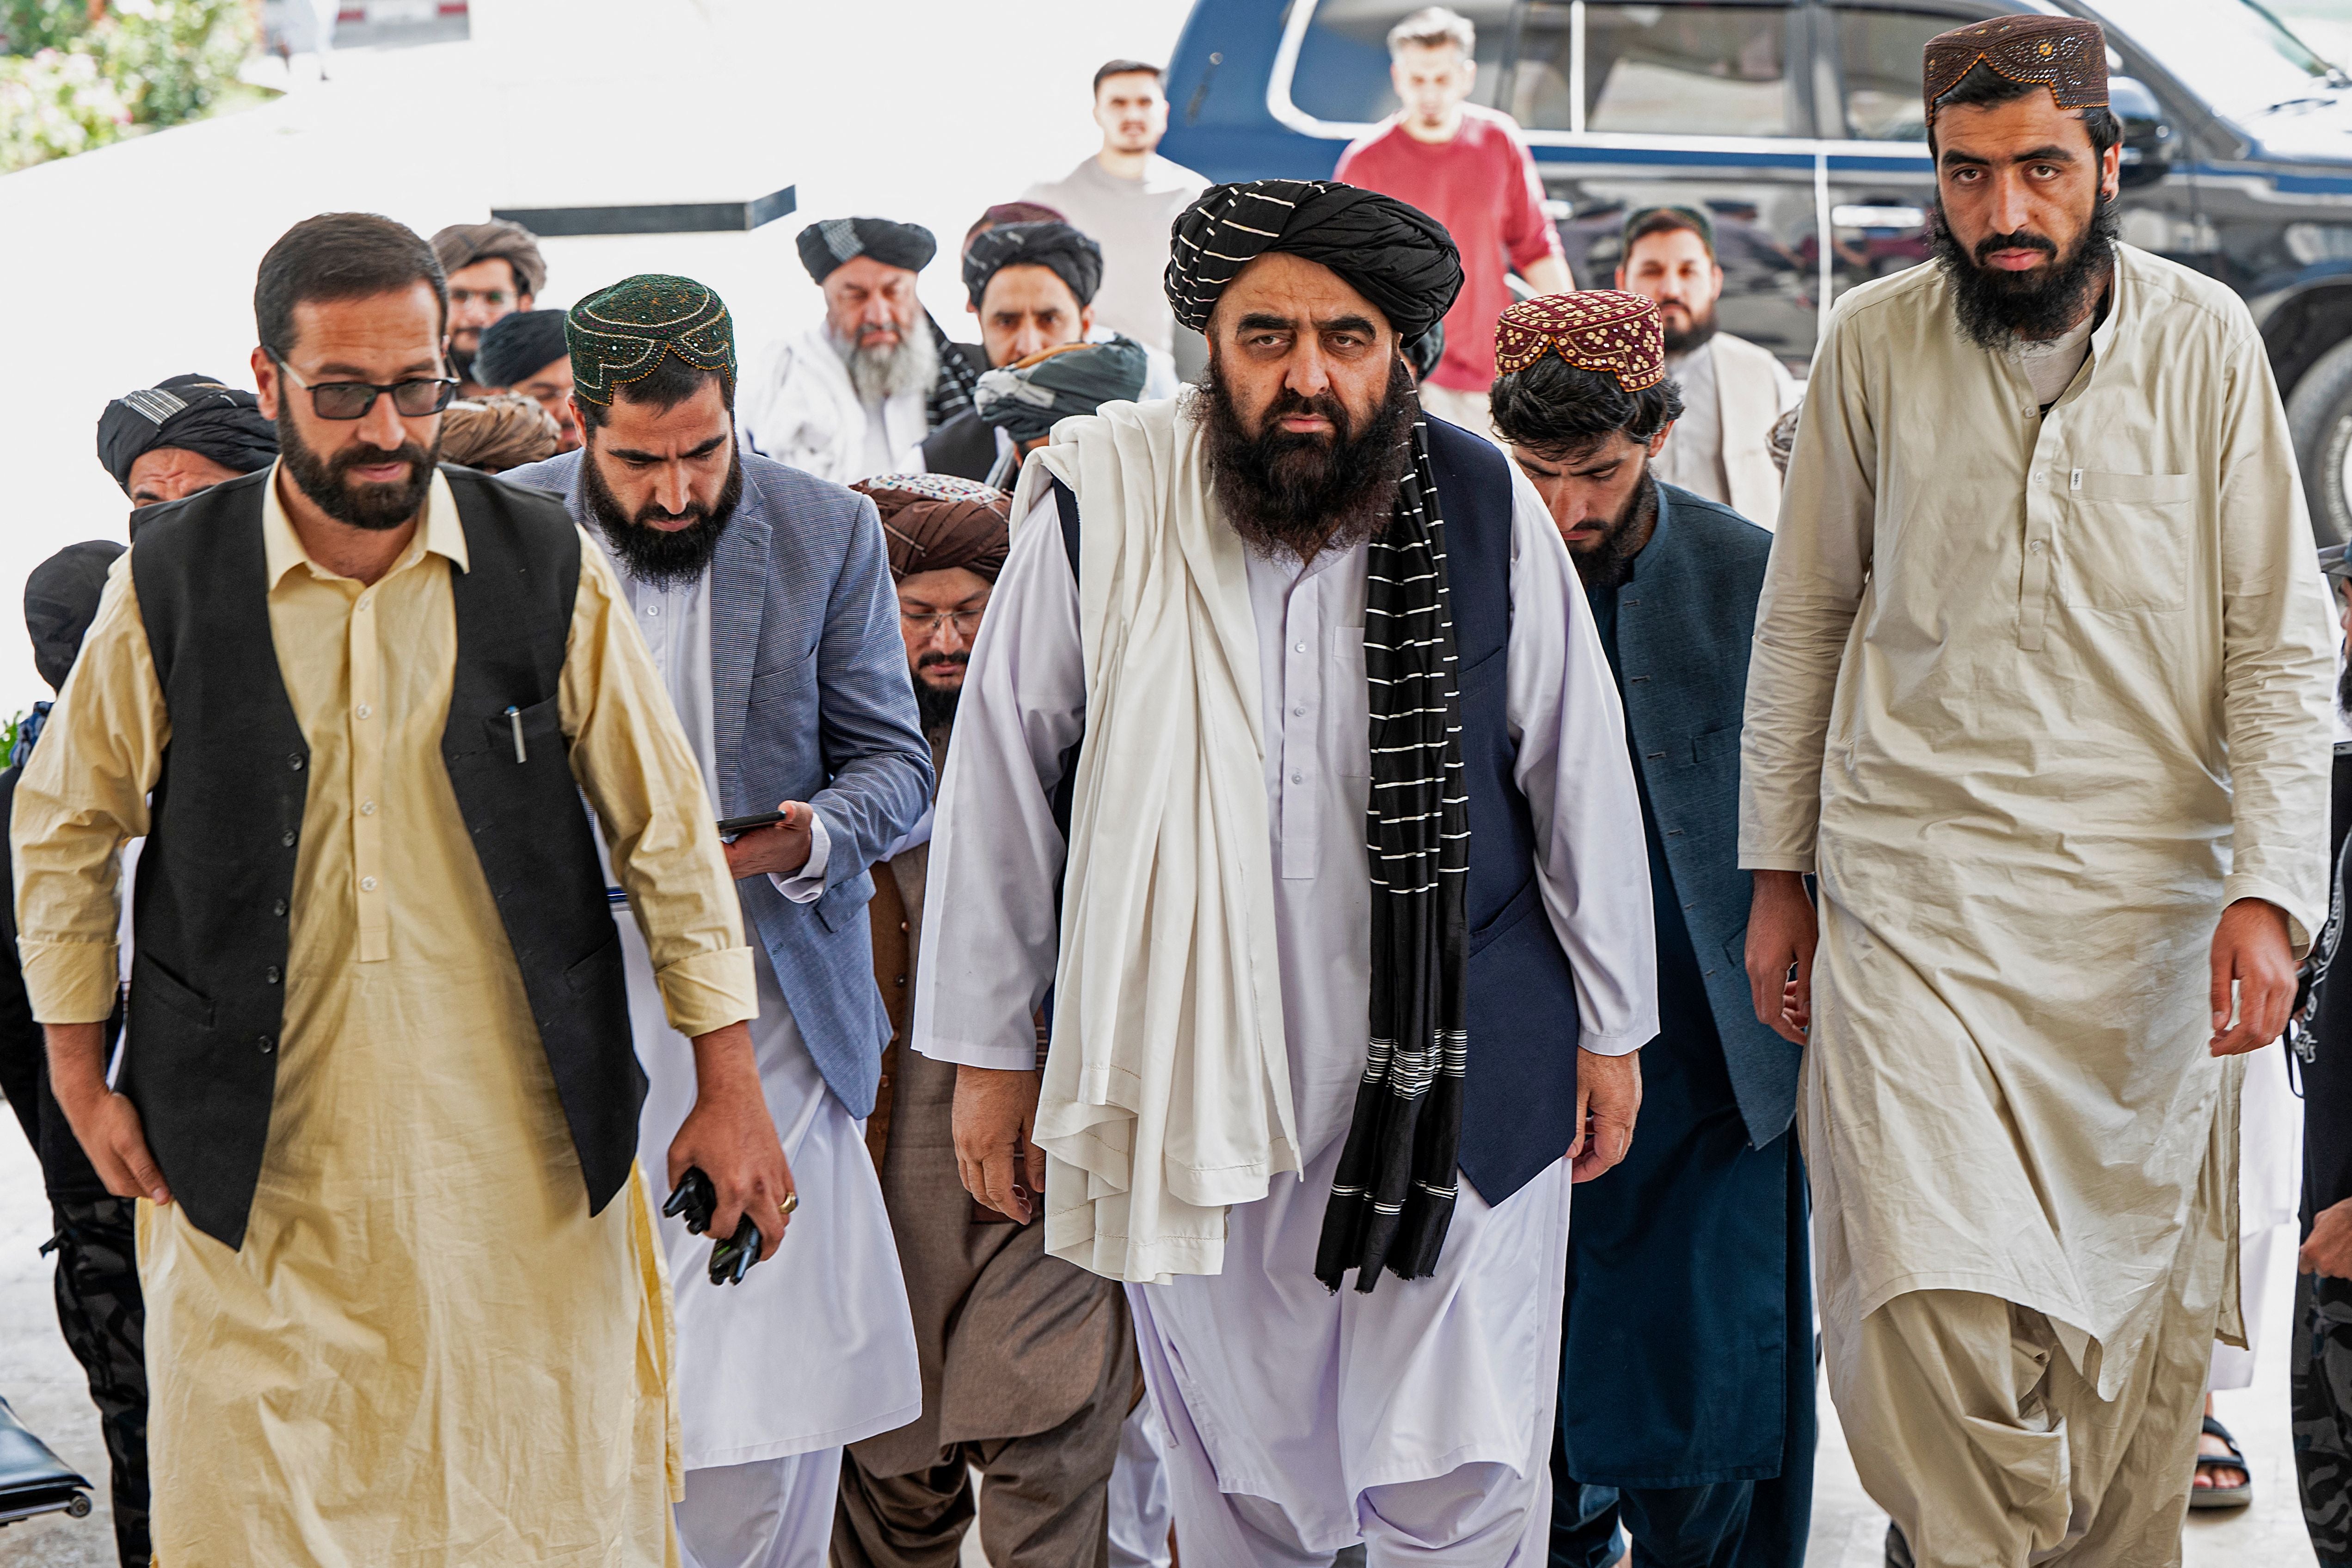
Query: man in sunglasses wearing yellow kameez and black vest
382	1111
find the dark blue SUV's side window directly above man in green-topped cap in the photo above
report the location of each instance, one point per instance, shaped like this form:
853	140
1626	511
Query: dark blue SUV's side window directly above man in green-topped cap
1692	69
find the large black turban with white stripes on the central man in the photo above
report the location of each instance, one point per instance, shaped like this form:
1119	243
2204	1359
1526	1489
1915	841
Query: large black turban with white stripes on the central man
1394	255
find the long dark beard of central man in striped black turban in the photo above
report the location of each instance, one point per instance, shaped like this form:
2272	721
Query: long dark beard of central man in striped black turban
1302	495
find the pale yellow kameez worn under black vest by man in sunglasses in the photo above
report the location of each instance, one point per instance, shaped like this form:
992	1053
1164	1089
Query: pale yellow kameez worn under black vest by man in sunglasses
427	1353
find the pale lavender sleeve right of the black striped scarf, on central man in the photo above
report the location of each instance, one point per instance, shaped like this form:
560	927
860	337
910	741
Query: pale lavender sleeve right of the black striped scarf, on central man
1577	777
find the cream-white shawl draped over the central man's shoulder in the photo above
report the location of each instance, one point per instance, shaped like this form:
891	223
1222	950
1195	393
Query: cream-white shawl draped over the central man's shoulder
1165	1090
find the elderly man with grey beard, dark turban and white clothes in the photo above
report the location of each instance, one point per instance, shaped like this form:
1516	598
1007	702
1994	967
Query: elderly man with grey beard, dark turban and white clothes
855	394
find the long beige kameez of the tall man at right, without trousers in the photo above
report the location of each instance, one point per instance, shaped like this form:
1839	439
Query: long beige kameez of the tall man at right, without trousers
2038	697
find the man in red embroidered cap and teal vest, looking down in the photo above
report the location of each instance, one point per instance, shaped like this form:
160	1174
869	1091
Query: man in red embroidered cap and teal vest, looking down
1688	1353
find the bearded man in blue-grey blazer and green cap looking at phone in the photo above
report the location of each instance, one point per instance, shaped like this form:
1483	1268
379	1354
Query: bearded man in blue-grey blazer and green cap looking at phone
766	601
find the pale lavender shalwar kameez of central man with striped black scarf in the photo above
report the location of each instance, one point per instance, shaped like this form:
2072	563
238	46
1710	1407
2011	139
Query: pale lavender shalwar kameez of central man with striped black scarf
1415	1419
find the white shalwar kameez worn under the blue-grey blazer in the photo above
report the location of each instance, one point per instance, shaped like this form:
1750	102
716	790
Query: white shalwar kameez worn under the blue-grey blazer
815	1348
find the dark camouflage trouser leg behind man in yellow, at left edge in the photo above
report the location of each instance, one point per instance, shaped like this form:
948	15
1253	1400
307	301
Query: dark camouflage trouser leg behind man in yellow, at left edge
105	1320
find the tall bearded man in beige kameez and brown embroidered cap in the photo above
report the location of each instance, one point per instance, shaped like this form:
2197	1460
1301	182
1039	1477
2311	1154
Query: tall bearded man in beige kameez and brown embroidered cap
2040	695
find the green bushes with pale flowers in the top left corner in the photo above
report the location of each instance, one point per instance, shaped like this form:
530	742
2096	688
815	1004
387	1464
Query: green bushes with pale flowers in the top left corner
72	81
